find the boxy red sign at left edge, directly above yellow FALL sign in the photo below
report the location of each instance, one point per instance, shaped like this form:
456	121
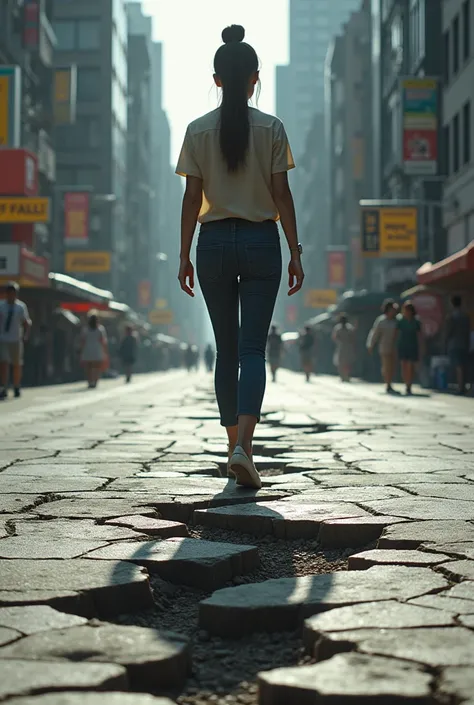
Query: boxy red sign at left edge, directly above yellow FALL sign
18	172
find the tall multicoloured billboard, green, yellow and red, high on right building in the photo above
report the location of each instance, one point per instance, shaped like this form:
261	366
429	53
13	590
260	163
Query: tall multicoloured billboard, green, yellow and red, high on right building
420	125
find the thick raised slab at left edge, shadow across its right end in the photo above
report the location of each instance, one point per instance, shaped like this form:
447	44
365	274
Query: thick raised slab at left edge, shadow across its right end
80	586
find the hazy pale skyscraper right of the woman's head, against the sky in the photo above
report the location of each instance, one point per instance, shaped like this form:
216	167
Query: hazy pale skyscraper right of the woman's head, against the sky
313	24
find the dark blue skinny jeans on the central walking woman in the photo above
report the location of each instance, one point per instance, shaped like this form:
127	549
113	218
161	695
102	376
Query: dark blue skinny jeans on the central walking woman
239	266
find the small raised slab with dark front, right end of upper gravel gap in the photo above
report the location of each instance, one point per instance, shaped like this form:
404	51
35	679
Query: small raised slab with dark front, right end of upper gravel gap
353	532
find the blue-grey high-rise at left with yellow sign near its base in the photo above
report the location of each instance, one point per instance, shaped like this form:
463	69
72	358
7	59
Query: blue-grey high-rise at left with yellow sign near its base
92	154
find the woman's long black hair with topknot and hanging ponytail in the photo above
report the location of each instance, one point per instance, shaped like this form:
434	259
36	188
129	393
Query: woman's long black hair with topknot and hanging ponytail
234	64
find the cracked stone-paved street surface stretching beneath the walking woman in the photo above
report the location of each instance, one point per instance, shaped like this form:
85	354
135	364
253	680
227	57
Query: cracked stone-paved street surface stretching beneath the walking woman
134	571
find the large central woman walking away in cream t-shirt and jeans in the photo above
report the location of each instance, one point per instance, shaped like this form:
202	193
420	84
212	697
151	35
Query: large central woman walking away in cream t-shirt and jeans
235	160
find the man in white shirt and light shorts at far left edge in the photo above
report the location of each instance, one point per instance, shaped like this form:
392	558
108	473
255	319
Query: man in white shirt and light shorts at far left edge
15	326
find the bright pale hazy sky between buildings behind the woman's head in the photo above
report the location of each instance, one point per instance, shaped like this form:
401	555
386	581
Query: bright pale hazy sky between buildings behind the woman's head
191	33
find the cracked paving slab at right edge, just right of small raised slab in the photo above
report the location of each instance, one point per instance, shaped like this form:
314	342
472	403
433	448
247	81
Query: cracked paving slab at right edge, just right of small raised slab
413	534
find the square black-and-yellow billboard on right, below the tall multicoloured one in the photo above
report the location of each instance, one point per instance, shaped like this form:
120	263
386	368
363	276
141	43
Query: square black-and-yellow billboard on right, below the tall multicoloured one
389	232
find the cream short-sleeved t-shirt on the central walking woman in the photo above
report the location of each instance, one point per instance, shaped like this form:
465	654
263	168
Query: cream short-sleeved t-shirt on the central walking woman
246	193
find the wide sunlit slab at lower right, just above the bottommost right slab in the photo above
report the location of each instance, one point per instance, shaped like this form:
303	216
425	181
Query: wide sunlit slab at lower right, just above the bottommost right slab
383	615
